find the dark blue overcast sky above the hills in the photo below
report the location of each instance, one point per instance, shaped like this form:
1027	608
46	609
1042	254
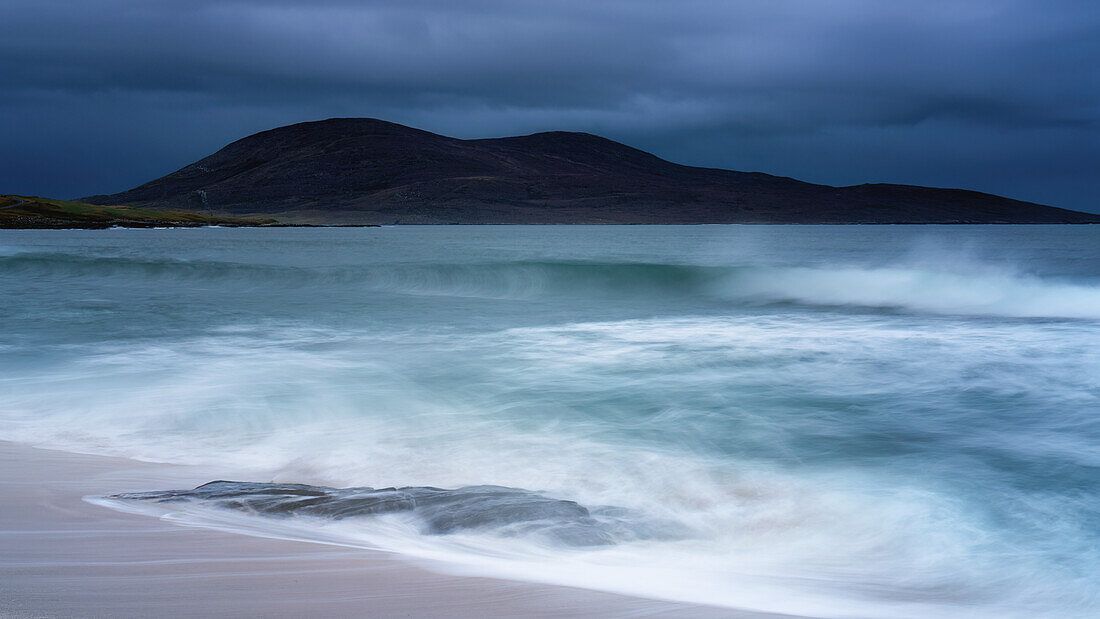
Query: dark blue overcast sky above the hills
1000	96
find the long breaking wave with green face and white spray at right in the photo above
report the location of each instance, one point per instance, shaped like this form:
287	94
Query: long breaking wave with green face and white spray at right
966	291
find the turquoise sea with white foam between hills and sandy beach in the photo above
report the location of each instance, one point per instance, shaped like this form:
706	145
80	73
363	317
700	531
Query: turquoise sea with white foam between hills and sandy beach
833	421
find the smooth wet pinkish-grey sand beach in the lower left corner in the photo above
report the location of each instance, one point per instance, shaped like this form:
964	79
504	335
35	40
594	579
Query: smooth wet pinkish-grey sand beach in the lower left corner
62	557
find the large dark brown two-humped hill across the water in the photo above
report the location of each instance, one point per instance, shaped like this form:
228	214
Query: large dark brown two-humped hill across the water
368	171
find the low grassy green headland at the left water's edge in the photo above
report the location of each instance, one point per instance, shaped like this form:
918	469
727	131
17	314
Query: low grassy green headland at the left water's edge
32	213
